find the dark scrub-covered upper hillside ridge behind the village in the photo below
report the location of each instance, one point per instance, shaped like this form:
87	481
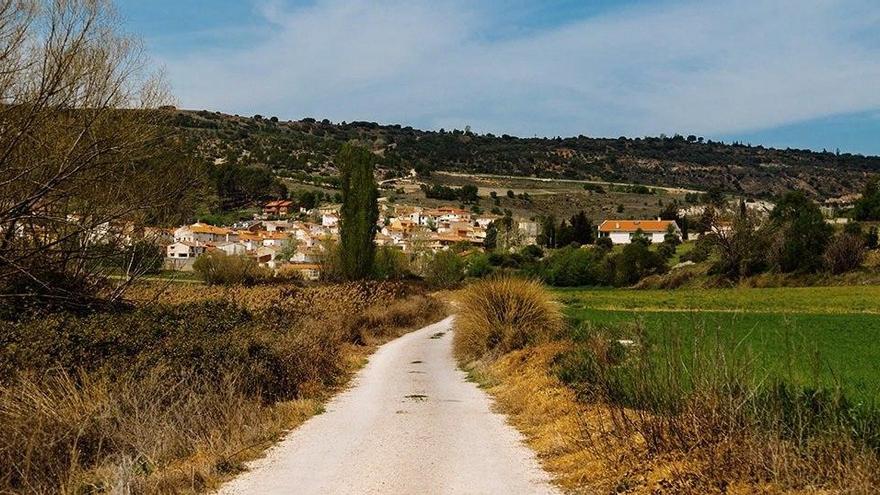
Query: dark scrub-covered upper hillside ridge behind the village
304	150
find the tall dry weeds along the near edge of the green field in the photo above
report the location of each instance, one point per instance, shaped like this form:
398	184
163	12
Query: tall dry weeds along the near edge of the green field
709	407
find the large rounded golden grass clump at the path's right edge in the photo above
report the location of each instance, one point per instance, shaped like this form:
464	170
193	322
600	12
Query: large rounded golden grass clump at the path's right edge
499	315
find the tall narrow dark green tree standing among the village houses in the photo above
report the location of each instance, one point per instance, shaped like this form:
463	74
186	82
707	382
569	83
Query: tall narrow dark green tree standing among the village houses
359	211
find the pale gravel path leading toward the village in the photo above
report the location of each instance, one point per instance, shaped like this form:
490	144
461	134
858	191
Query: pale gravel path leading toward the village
410	424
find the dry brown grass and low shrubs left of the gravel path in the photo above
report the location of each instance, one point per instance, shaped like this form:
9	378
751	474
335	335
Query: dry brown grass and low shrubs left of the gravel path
176	394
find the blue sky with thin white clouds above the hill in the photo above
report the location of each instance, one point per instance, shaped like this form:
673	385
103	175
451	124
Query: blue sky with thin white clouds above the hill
783	73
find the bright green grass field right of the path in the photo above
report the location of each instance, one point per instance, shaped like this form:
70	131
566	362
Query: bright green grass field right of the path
816	336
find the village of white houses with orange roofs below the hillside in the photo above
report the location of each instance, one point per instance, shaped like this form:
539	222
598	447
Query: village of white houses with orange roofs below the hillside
301	244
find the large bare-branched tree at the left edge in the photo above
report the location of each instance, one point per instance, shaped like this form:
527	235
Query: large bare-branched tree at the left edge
86	156
